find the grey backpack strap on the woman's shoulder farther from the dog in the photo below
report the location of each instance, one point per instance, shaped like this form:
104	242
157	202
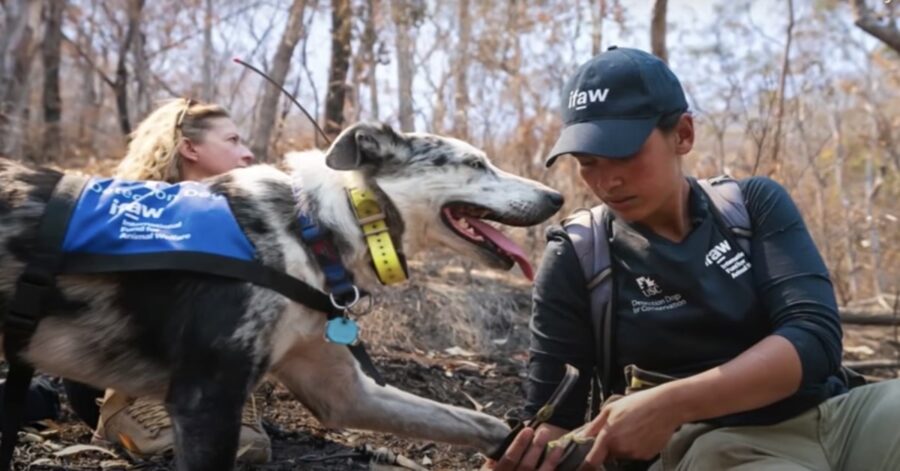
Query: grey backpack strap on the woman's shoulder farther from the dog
728	208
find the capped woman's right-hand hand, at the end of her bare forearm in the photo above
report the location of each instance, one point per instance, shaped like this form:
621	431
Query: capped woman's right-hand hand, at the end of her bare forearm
637	426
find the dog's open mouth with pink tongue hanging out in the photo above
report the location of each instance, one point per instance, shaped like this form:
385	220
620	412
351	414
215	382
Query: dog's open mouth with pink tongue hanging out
466	221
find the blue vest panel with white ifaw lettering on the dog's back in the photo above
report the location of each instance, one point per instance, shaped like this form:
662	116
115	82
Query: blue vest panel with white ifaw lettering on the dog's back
119	217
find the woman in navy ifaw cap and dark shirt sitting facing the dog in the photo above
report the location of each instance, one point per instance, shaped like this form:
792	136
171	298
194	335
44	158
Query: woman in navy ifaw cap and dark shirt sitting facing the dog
746	335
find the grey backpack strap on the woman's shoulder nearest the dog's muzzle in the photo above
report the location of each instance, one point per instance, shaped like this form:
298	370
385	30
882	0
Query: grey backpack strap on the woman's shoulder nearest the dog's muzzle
588	232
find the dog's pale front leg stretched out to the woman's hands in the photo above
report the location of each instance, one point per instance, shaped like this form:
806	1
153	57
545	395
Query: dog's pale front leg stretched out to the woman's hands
327	379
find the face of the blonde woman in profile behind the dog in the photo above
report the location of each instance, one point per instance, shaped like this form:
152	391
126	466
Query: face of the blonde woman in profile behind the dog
220	150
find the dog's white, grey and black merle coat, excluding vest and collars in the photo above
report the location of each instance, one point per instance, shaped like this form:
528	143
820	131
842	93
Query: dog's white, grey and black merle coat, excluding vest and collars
203	342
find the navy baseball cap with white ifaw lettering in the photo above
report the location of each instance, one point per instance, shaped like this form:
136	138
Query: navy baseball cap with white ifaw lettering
614	101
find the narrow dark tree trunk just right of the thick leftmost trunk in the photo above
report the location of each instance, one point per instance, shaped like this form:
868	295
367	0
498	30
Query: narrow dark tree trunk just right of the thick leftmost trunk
51	98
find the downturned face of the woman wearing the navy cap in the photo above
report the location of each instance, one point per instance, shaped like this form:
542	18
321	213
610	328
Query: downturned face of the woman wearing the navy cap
637	187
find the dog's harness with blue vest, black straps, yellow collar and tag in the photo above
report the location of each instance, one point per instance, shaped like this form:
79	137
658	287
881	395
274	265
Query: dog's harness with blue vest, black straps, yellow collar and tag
64	246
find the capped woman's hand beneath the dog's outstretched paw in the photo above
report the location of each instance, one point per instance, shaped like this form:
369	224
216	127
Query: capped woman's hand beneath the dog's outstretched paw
525	451
